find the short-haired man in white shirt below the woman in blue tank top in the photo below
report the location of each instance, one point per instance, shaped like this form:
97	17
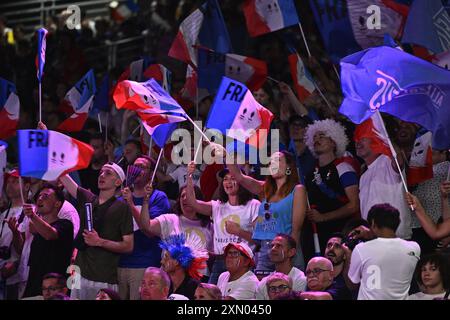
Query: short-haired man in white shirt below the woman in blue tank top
282	253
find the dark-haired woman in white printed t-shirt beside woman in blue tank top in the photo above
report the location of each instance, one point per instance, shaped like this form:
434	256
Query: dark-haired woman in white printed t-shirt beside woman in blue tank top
233	215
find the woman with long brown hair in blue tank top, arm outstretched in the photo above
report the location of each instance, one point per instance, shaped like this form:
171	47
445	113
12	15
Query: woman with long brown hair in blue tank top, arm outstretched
282	209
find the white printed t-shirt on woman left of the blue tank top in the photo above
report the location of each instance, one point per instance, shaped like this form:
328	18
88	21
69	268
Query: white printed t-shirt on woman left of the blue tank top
242	215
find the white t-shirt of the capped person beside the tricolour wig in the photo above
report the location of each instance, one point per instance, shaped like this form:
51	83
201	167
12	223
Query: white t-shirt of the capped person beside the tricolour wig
243	288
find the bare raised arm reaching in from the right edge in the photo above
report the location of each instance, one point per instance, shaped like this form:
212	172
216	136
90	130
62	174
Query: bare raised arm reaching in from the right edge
435	232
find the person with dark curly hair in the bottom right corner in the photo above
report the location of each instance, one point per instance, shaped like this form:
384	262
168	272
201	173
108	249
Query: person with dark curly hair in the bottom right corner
432	275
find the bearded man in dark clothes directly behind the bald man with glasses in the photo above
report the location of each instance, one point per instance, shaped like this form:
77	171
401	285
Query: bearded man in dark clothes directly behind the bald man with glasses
336	254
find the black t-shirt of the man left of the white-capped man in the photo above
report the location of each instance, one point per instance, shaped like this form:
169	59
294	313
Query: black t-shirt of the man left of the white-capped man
49	255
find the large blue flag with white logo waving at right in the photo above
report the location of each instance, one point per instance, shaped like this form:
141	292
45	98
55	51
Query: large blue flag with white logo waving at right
400	84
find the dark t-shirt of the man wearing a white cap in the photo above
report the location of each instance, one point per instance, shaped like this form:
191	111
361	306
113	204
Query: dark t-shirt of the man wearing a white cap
112	220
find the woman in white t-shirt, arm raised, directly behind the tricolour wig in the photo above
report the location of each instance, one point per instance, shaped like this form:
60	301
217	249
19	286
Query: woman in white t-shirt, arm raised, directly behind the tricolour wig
185	220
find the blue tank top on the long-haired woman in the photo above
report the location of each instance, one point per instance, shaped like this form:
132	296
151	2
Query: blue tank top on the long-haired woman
276	219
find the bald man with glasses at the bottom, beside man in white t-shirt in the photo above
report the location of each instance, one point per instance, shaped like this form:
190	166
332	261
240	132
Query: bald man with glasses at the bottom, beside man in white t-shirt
320	281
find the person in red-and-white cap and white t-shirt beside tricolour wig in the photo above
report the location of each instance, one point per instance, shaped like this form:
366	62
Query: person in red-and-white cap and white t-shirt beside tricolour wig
239	282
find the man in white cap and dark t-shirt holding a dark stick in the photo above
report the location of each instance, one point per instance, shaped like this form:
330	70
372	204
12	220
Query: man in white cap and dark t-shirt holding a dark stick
111	235
